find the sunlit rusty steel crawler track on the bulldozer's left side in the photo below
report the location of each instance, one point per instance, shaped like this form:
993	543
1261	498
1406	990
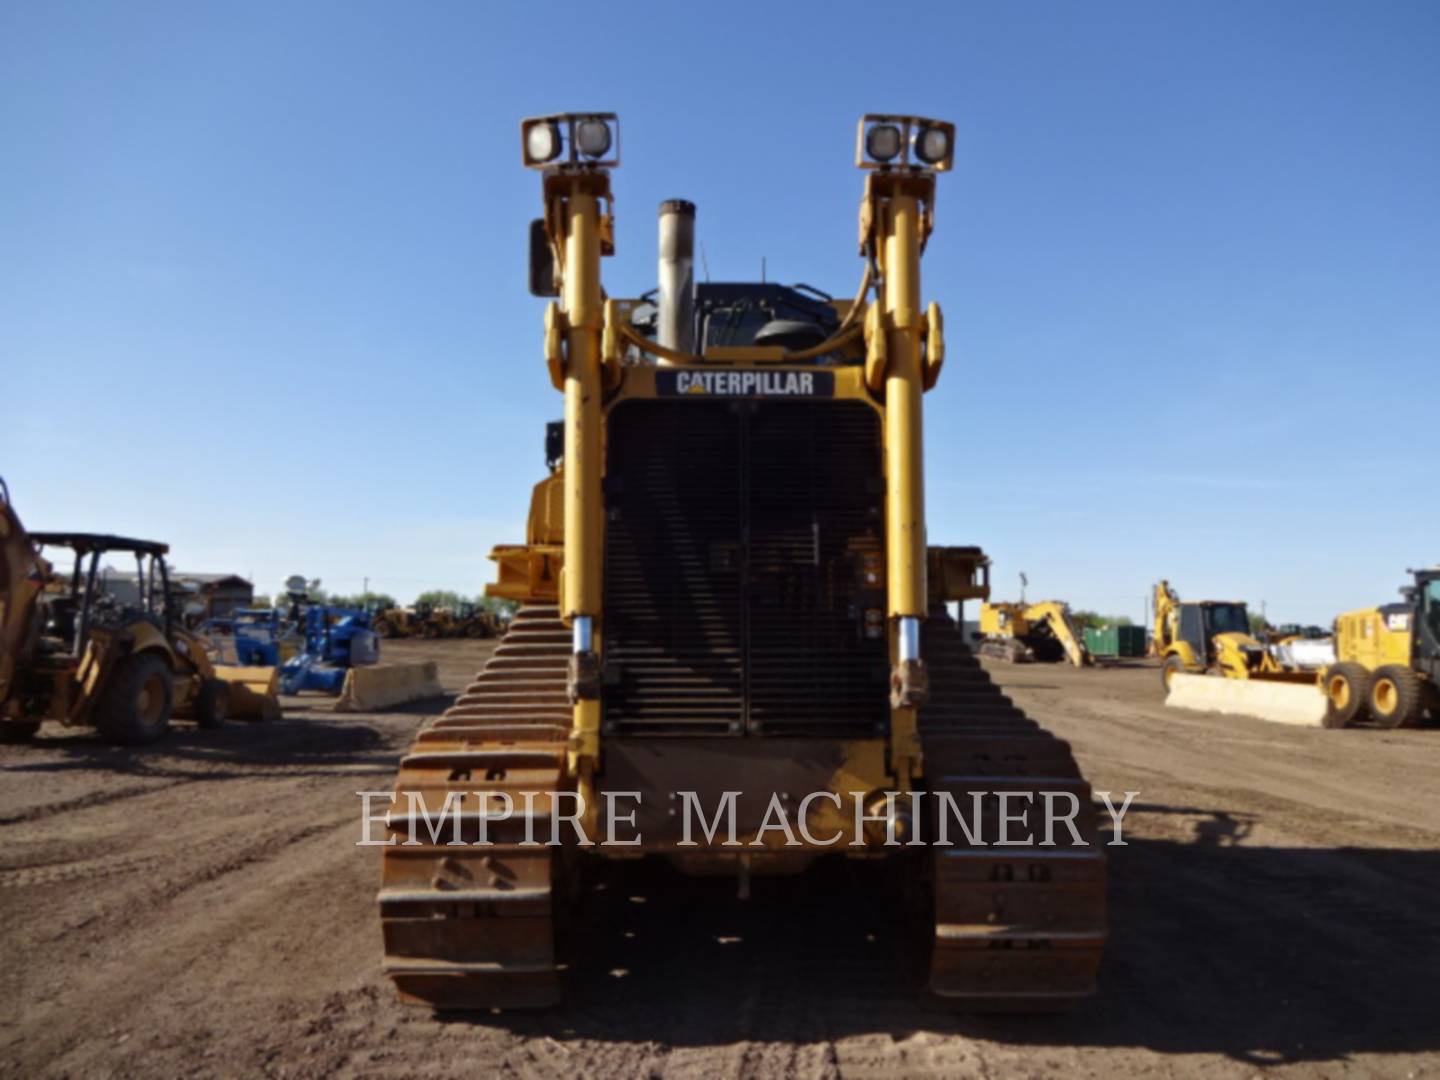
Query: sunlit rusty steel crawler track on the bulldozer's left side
473	927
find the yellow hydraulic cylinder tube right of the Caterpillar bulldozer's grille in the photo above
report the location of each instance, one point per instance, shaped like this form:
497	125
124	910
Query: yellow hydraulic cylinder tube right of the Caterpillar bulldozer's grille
905	457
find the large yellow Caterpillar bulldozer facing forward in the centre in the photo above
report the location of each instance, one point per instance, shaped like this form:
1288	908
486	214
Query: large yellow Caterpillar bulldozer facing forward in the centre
726	597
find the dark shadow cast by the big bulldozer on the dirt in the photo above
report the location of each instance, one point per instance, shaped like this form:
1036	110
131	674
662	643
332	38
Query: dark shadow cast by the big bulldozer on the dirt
1265	955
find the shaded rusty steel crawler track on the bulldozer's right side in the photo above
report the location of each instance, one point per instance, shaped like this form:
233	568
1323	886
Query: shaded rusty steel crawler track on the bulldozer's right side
1016	928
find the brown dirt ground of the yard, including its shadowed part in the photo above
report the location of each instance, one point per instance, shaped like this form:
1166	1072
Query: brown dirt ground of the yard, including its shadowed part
201	909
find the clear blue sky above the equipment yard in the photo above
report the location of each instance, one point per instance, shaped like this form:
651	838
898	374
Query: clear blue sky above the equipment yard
263	280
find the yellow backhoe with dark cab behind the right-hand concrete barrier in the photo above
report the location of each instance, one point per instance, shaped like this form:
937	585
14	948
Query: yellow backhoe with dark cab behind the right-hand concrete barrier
1212	637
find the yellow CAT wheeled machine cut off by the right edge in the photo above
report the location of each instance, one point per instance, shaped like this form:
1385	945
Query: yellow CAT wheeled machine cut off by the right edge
1387	660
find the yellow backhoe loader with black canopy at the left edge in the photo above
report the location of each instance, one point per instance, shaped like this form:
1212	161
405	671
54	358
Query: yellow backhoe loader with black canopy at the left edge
71	652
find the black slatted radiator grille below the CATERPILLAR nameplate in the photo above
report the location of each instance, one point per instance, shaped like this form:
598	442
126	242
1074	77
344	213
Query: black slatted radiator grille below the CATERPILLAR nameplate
737	539
